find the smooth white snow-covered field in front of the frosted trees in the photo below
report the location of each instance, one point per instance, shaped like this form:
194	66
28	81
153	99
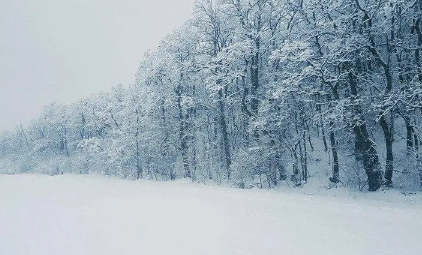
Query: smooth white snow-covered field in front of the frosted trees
90	215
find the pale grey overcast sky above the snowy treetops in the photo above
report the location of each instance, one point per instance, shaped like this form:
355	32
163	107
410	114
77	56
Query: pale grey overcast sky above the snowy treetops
64	50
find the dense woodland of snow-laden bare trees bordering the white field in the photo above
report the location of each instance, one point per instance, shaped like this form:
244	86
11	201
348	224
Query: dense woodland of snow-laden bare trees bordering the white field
252	92
